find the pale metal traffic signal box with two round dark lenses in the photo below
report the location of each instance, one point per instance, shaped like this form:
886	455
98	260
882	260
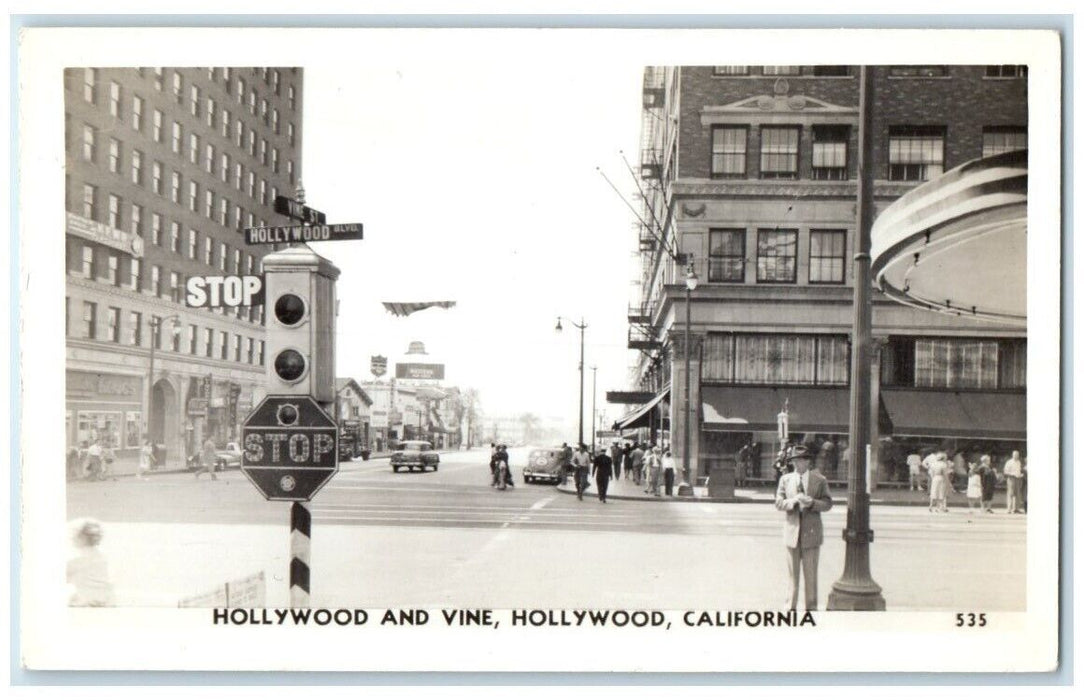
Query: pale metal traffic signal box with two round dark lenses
301	323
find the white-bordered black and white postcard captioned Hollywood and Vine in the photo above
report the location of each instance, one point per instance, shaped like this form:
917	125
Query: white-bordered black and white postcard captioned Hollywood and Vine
531	351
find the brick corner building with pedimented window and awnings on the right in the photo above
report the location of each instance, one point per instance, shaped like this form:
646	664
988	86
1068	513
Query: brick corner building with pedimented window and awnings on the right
750	182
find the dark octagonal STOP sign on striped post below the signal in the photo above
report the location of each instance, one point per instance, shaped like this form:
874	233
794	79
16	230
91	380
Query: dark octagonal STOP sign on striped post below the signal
290	448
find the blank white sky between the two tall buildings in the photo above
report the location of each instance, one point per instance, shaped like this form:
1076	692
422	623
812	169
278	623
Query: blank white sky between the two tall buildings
481	184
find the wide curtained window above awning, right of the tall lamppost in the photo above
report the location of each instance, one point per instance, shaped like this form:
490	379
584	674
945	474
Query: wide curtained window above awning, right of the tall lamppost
957	364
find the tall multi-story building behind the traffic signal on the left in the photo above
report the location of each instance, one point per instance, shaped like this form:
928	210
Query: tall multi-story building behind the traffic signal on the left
165	168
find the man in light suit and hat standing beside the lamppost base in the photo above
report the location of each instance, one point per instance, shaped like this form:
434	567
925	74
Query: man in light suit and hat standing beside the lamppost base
804	496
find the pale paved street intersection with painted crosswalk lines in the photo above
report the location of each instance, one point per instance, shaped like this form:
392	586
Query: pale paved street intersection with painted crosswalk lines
441	539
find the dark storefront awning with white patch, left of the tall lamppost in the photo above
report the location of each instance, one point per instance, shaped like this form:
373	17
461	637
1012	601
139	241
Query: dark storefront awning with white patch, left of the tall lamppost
750	409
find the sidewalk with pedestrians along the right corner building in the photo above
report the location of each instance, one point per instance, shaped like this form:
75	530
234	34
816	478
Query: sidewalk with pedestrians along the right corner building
625	490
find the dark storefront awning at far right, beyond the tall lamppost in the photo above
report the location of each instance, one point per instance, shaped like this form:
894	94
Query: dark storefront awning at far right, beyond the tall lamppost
952	414
